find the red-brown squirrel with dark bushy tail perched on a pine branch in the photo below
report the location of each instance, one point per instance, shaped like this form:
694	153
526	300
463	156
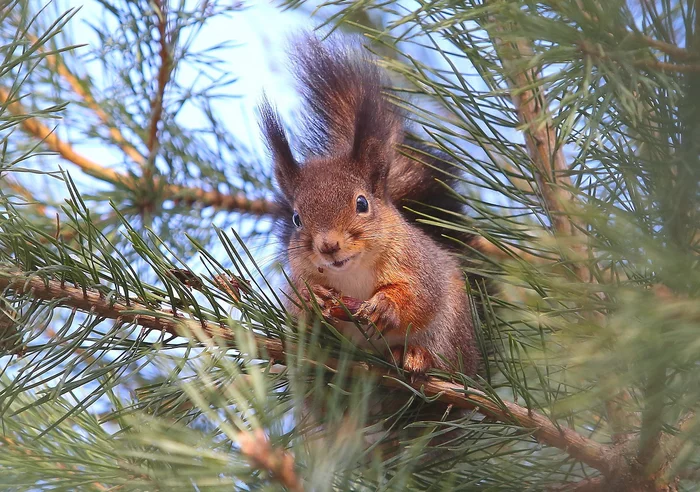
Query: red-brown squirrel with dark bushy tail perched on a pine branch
349	209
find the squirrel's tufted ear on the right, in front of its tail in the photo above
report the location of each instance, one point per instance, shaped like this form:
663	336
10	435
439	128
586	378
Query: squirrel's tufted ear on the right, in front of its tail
375	136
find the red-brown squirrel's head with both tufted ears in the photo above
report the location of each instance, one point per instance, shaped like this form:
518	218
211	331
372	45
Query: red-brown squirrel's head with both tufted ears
339	209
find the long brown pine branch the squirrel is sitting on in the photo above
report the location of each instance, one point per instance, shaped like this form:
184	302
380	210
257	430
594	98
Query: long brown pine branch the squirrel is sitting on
544	430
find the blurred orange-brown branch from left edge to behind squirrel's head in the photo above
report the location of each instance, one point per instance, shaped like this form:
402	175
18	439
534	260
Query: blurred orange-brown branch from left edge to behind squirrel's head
179	194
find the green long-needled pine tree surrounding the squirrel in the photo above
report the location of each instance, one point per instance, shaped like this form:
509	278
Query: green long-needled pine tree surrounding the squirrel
144	343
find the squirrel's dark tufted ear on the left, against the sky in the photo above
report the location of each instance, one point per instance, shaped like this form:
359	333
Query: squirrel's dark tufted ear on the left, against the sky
286	167
